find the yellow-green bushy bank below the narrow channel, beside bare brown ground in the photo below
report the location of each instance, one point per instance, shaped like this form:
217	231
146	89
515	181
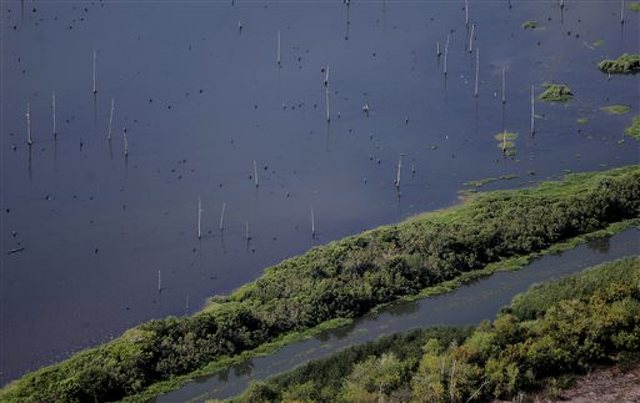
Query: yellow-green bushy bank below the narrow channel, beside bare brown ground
542	340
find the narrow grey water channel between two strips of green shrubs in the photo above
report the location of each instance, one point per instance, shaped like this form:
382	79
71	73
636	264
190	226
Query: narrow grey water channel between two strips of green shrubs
466	306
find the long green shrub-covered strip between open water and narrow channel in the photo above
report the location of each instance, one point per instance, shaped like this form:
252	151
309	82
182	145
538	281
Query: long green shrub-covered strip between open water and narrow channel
343	279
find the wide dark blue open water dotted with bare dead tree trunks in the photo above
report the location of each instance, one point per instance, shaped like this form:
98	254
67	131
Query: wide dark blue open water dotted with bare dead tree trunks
201	95
